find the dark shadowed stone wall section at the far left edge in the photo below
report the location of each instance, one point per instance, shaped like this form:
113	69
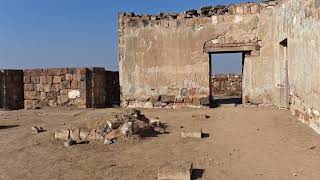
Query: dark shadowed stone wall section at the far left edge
11	89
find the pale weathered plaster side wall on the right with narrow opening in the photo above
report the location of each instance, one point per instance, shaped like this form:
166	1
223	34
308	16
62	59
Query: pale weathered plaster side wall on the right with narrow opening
299	22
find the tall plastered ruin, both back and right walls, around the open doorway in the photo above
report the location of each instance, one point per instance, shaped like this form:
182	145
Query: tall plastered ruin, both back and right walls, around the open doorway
166	56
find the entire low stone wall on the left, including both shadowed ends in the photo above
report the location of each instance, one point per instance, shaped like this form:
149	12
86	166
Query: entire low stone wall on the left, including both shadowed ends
77	87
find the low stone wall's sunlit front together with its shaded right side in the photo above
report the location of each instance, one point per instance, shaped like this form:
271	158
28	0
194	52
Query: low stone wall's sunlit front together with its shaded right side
77	87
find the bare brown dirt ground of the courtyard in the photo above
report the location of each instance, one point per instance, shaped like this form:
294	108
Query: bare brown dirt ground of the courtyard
243	143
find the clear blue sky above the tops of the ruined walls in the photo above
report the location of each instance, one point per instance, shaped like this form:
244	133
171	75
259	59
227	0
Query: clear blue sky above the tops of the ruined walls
58	33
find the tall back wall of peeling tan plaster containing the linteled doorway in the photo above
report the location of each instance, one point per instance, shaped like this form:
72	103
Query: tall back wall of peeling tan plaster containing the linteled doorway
164	60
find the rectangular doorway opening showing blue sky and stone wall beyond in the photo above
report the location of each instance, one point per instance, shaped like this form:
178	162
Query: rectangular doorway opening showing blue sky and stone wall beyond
226	78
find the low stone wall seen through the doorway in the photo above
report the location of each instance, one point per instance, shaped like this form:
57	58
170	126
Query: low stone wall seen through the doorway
226	85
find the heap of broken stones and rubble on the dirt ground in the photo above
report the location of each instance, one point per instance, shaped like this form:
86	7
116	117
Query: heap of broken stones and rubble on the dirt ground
128	125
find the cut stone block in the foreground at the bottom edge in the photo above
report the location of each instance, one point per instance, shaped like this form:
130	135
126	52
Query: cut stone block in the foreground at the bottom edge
175	171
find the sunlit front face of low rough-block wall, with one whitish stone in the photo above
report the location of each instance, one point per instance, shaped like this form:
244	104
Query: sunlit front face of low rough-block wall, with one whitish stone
55	87
